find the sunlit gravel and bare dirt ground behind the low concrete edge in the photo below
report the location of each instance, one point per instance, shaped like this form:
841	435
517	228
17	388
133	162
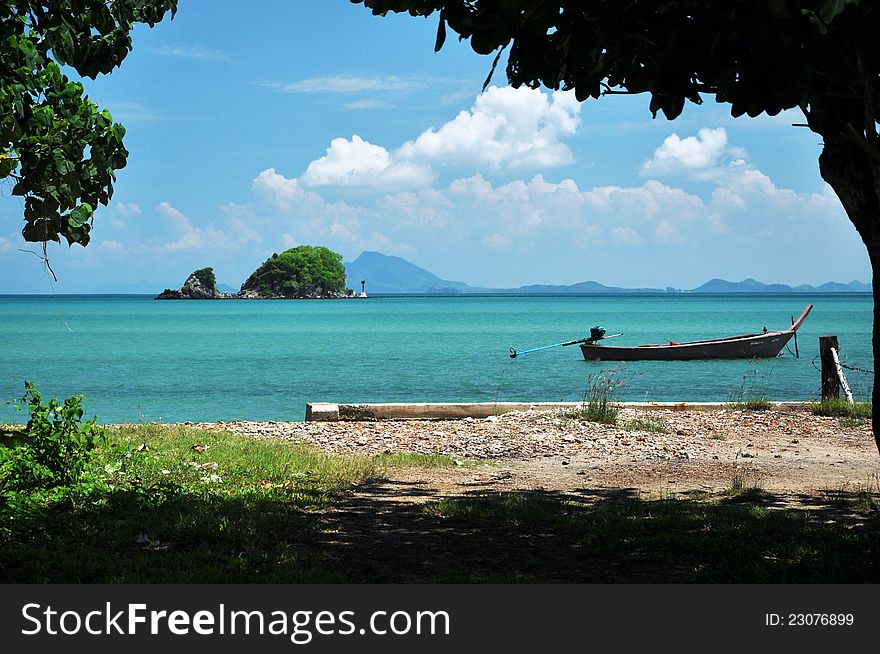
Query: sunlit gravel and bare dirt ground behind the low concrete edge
789	450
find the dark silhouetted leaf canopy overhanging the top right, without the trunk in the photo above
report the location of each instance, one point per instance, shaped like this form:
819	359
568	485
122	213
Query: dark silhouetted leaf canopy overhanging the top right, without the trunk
758	55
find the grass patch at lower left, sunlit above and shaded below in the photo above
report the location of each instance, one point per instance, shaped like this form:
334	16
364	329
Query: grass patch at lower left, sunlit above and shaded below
175	504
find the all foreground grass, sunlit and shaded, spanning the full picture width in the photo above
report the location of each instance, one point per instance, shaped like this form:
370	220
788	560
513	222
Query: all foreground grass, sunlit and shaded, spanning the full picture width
171	504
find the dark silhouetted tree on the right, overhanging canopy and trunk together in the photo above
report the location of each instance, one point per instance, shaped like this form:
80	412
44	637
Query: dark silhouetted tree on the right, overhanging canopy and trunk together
759	56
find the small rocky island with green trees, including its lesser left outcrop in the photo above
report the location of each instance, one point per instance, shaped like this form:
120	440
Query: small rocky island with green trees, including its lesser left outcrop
303	272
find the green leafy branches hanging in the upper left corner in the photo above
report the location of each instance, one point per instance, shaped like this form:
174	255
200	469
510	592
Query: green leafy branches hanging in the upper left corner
58	147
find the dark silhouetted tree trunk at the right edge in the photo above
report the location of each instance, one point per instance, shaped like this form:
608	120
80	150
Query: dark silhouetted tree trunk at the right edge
852	169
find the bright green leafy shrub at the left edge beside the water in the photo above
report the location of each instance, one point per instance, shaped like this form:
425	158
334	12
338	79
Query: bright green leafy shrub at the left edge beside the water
54	447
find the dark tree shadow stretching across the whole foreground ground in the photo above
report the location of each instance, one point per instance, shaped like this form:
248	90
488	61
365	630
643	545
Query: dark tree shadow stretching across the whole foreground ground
393	531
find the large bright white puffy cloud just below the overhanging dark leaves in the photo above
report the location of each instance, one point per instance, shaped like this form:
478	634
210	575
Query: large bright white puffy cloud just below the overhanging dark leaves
506	129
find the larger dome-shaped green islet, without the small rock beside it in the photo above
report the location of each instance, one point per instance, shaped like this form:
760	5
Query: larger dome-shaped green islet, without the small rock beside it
305	271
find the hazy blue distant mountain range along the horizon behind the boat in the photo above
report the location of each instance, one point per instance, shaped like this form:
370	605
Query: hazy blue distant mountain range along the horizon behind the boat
388	274
